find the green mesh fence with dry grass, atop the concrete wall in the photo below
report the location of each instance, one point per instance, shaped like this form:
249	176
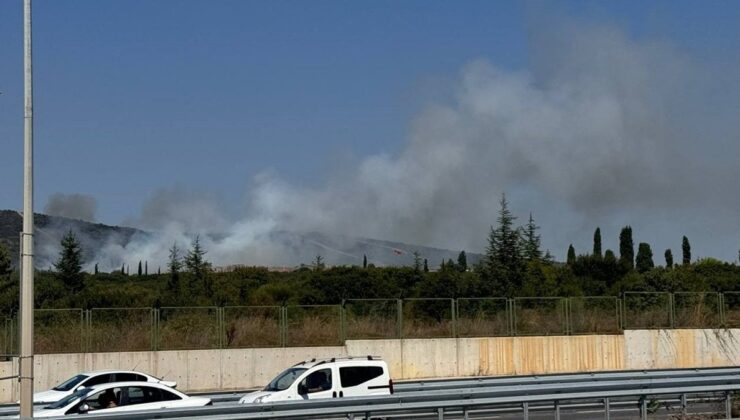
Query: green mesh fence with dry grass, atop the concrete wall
171	328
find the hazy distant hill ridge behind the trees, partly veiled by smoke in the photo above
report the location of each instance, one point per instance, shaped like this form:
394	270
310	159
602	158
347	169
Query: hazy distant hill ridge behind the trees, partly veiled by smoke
297	248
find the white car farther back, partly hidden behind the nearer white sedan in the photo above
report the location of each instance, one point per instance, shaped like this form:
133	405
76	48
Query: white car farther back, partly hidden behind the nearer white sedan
88	379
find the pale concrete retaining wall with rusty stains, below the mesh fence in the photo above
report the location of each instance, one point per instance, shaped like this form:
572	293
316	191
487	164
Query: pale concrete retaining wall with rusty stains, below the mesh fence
200	370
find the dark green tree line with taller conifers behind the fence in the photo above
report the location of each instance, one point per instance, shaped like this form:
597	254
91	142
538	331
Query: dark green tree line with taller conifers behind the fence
514	264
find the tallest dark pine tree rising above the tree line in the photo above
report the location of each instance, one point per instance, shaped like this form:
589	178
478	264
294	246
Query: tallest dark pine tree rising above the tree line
504	260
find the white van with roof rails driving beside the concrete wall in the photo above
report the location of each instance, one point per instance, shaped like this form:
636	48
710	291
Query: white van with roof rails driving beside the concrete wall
331	378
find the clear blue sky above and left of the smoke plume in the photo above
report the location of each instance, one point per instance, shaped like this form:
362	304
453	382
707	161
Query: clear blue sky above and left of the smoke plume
136	96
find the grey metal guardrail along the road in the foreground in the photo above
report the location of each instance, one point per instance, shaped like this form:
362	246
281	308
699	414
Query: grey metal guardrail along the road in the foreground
442	402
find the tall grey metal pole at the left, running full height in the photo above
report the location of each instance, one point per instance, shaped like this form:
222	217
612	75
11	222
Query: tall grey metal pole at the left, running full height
25	376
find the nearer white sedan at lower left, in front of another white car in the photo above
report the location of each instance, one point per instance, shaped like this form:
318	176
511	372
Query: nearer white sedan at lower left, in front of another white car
119	397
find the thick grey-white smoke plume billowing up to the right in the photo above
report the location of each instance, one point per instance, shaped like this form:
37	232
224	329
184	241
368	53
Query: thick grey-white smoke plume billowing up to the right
601	130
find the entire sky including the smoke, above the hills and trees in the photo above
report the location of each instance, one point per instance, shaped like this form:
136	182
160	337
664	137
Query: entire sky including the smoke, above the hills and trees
398	120
